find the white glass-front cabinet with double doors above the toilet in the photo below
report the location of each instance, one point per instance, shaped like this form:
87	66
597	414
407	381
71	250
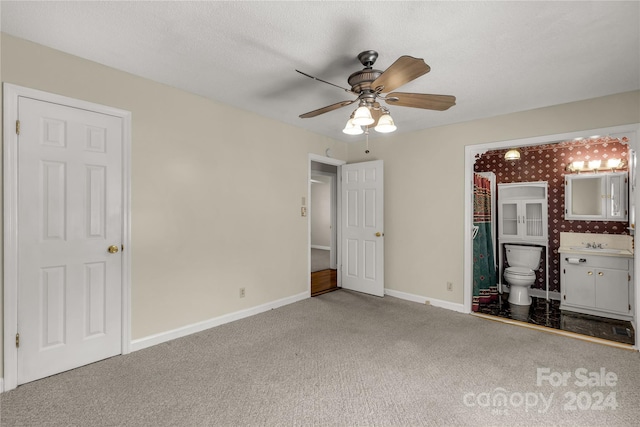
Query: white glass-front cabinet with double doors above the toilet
522	211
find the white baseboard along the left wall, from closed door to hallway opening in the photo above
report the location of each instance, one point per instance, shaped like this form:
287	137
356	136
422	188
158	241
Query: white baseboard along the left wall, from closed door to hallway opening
152	340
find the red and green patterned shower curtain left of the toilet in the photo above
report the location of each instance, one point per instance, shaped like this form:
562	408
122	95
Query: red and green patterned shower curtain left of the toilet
484	268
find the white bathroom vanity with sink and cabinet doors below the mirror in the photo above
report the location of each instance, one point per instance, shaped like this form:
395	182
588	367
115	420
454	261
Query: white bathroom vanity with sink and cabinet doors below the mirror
596	274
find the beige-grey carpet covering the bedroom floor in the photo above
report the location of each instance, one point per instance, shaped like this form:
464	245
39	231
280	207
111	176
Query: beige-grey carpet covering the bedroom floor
343	359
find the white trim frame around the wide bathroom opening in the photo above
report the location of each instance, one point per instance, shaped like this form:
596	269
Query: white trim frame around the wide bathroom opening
471	151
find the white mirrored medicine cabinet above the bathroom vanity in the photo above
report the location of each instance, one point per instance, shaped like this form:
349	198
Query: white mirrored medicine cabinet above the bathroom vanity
596	197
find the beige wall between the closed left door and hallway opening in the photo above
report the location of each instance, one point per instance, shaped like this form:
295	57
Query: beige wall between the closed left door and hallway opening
216	192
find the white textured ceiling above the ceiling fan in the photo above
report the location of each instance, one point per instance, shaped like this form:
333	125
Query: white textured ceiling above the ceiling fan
495	57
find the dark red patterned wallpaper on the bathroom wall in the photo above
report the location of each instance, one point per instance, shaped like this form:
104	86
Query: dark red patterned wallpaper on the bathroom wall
547	163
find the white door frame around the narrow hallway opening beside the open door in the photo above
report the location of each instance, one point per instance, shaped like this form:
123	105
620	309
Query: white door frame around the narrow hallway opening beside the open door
333	162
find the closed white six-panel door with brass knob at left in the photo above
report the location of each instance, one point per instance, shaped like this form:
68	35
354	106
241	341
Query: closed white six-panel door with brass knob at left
69	217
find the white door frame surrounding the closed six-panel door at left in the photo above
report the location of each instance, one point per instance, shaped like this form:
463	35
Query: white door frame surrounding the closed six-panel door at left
10	211
